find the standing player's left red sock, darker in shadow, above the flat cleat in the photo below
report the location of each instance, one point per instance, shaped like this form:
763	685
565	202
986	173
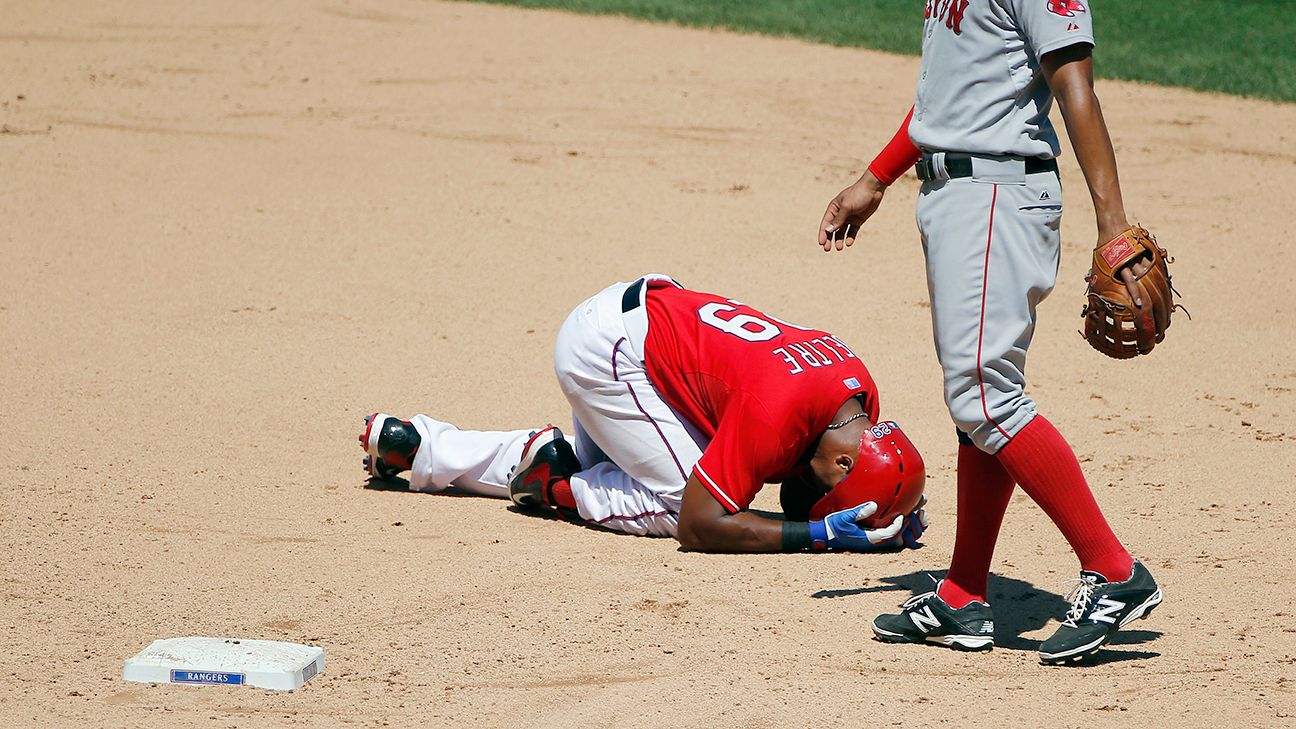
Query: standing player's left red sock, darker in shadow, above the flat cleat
984	494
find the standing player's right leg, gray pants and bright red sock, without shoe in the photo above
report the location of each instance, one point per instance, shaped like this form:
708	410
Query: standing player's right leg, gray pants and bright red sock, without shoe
983	350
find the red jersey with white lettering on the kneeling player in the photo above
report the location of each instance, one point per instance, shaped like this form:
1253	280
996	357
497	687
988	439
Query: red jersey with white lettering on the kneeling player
761	390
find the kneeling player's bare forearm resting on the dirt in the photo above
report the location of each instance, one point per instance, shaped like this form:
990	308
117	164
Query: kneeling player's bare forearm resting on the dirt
706	526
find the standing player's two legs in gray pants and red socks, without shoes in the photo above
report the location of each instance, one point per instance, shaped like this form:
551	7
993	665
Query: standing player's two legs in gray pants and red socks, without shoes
992	251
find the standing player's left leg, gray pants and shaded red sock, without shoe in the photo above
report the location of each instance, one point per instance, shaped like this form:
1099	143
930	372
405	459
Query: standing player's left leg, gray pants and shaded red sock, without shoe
986	285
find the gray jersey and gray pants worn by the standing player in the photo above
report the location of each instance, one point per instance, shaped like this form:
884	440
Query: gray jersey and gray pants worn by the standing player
991	206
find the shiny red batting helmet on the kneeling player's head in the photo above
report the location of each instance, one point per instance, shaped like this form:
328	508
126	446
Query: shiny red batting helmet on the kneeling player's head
888	472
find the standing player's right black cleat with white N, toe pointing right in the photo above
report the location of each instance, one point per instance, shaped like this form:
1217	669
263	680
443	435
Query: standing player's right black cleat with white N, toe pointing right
1098	609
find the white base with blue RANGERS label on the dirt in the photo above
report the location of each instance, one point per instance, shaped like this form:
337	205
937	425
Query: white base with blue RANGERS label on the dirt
226	662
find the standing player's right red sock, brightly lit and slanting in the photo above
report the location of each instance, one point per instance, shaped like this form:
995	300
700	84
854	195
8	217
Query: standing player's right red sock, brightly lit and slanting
1040	460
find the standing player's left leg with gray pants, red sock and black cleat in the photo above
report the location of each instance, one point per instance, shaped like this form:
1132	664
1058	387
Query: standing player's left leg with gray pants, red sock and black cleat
957	220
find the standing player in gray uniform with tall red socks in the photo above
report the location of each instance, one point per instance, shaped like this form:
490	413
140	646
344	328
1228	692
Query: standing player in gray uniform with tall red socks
989	215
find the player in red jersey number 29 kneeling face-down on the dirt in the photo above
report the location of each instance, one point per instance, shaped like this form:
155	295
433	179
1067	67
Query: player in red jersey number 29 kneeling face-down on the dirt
685	405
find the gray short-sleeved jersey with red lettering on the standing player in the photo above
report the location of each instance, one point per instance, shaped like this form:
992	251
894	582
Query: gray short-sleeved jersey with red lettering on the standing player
982	90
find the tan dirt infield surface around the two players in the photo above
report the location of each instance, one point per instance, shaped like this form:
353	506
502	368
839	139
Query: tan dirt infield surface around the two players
231	230
